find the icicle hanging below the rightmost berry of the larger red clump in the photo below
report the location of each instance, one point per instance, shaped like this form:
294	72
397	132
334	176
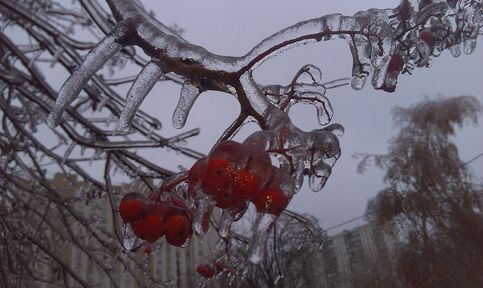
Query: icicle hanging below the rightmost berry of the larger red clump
261	227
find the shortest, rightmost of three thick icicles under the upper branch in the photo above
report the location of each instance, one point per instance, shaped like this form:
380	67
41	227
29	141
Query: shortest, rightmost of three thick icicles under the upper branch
189	94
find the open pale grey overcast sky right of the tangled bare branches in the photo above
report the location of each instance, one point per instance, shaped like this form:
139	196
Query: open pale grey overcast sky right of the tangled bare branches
234	27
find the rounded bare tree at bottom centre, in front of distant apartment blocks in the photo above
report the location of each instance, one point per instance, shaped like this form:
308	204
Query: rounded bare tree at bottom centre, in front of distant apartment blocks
293	257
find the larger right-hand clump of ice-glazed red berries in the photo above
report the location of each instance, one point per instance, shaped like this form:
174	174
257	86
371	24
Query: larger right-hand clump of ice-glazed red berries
234	174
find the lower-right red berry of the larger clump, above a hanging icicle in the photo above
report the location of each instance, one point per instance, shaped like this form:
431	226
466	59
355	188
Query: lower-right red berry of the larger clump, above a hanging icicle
271	201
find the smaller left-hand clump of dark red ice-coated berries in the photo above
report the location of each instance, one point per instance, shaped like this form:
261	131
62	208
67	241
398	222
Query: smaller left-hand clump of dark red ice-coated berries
151	220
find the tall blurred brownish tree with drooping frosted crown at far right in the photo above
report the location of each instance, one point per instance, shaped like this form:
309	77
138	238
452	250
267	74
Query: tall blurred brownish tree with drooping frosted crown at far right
431	197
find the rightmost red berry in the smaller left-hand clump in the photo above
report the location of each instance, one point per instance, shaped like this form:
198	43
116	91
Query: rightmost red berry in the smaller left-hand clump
178	226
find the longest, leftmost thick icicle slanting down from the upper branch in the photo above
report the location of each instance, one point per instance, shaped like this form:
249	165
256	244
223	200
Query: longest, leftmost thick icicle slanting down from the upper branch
93	61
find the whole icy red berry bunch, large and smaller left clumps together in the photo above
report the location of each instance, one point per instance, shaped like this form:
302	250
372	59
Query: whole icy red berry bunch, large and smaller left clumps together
230	177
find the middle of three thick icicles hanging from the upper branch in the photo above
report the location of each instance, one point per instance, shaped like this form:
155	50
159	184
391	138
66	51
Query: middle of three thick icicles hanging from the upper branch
141	87
